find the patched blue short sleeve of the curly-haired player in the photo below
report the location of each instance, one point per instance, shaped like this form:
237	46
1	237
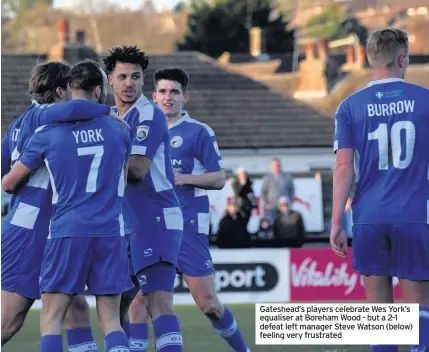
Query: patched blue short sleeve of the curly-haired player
148	135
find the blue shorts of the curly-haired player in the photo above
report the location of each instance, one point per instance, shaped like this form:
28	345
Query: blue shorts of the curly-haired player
151	247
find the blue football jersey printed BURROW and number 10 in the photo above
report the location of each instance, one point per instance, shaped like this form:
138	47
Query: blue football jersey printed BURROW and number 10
387	125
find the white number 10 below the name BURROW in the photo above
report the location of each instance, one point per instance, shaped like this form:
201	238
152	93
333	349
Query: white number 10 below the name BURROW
381	134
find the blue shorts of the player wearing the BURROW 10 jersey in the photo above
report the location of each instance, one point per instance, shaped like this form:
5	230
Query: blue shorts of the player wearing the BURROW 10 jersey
399	250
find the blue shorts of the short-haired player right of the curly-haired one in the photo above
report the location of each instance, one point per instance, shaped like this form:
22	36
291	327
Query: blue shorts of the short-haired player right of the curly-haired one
194	256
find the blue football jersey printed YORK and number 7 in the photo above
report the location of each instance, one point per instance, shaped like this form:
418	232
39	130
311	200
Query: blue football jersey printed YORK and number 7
85	162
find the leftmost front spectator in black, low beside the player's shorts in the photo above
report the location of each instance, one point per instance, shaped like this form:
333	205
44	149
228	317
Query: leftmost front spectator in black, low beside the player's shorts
232	232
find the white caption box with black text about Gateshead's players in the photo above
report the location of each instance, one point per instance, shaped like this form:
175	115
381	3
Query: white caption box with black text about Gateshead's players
337	324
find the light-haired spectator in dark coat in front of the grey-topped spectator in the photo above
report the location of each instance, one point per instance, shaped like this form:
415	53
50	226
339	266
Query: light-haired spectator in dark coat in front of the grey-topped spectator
289	223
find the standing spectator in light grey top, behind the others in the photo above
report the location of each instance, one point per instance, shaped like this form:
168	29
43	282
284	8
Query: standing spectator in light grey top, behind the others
275	185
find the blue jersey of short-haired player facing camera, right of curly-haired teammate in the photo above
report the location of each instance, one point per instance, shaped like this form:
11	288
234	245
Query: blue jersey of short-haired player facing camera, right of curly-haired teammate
194	151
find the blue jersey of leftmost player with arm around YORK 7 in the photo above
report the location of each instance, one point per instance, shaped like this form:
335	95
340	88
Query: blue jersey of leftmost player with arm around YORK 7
31	205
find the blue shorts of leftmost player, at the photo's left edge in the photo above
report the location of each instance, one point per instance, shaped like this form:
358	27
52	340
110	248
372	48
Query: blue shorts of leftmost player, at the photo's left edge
21	259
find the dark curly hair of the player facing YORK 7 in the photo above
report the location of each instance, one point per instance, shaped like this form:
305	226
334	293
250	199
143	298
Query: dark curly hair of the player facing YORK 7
126	54
